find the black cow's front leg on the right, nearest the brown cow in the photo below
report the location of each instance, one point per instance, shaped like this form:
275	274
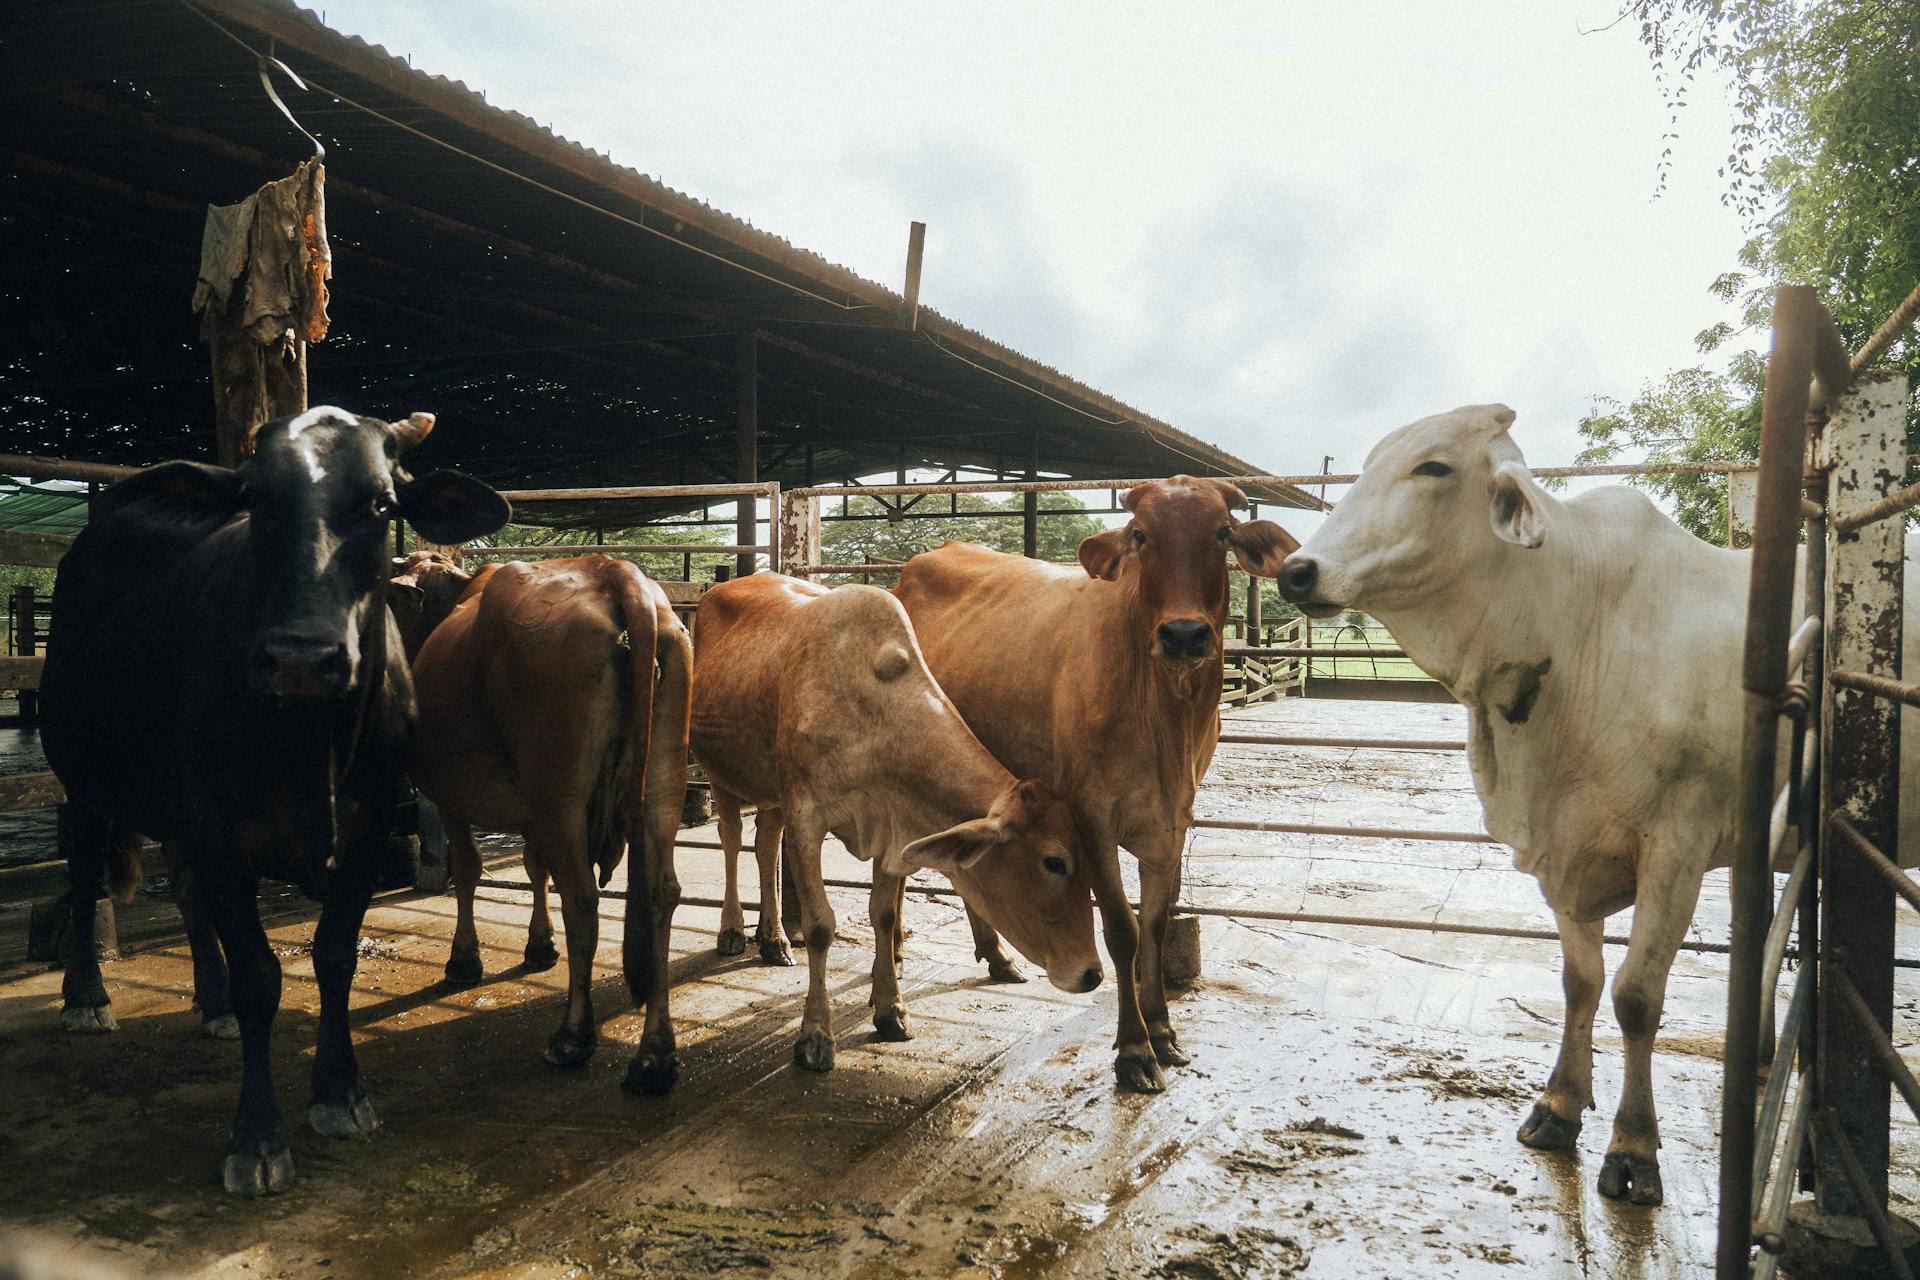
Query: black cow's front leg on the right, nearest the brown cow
341	1108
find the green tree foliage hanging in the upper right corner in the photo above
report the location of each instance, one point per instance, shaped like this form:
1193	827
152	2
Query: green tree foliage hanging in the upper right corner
1825	168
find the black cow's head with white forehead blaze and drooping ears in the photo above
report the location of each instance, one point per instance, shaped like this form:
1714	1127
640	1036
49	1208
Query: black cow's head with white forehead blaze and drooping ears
320	492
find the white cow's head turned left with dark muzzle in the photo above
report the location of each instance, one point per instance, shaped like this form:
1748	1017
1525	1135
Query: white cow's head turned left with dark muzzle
1435	506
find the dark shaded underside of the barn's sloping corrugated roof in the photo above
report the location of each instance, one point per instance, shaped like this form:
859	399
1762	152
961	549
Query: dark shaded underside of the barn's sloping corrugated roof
571	321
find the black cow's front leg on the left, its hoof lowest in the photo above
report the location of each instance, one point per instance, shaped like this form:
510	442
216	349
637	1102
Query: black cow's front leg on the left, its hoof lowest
258	1160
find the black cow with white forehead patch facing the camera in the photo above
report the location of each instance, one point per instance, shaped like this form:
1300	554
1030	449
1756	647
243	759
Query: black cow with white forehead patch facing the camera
229	678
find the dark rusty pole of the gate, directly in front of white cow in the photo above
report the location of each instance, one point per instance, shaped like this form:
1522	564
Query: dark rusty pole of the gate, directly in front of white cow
1764	678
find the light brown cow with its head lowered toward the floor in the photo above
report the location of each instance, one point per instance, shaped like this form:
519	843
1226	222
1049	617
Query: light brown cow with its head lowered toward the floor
819	709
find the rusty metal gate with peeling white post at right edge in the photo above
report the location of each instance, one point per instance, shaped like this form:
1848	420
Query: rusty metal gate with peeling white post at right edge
1833	462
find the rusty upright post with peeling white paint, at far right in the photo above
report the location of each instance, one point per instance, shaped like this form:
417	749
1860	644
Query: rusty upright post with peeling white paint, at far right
1865	452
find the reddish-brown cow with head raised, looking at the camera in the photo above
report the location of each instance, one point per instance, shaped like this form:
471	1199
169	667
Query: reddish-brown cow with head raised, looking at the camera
1107	684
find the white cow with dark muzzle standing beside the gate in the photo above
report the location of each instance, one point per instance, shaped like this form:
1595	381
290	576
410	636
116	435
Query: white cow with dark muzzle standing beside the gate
1596	648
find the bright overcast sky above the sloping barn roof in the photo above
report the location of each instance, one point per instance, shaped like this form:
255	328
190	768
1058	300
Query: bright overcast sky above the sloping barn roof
1285	229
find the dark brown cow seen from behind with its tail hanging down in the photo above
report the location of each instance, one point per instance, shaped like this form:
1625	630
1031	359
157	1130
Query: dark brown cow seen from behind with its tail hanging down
554	703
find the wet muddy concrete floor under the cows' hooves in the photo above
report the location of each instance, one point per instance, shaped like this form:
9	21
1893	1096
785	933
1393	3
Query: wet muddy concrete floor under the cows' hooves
1351	1108
